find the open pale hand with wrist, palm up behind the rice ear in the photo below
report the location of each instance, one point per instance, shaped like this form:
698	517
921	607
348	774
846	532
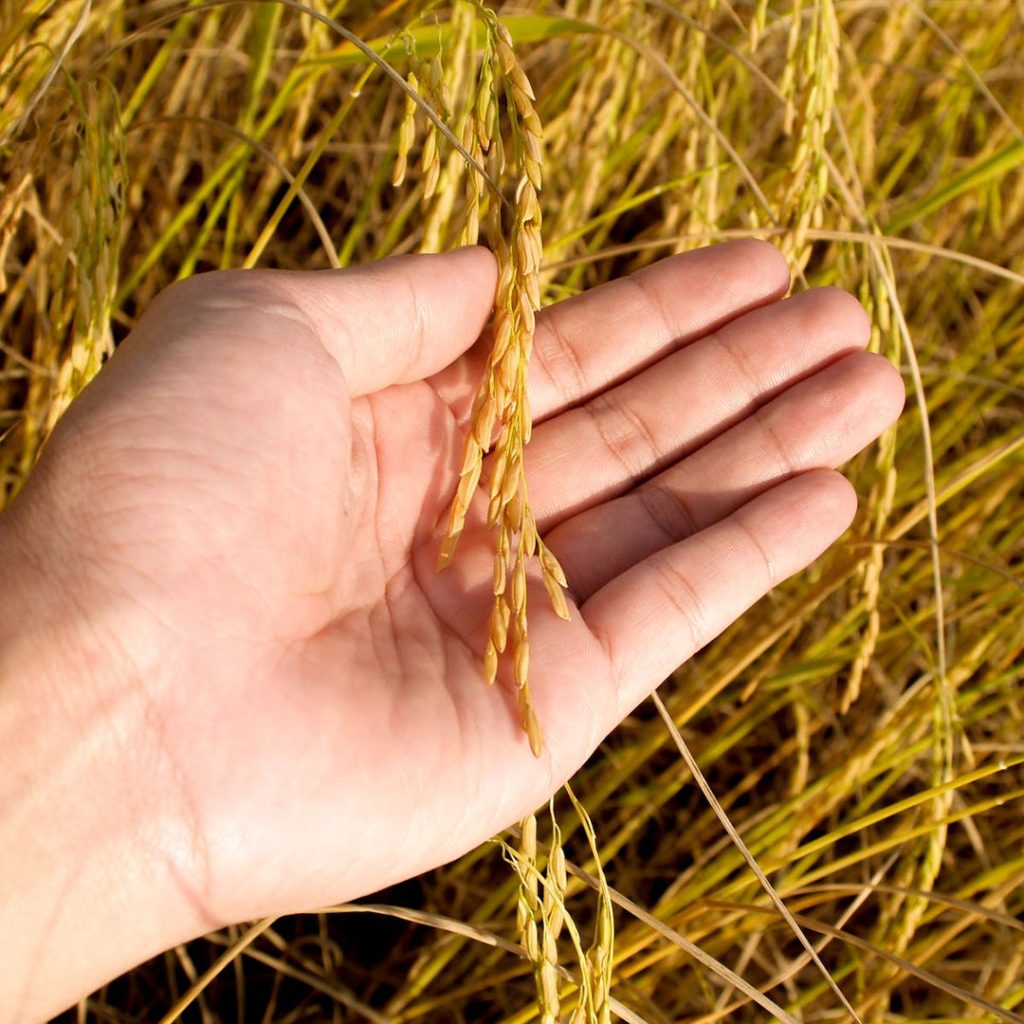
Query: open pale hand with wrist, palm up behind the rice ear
233	684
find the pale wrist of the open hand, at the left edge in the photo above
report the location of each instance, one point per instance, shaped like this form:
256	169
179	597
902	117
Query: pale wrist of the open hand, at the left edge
98	859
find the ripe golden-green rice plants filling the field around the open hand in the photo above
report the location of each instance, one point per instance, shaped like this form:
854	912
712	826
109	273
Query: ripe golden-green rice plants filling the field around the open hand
863	728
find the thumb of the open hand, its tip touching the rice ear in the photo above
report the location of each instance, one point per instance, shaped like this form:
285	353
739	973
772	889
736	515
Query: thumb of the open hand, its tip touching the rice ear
400	320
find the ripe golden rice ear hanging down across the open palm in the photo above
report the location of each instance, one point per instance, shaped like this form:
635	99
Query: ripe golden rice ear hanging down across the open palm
502	407
